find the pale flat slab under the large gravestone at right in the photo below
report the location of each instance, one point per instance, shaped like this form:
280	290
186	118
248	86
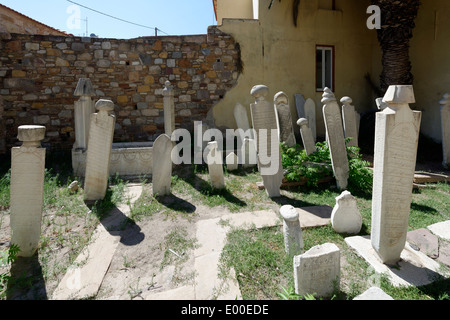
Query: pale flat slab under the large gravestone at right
414	268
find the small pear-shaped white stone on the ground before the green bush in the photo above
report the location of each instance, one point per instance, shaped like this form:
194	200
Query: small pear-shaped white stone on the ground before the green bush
345	217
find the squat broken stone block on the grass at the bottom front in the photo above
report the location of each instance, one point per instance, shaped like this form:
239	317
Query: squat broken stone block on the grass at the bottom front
318	271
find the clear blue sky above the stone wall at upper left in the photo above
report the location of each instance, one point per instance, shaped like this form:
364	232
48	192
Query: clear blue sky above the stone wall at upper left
171	17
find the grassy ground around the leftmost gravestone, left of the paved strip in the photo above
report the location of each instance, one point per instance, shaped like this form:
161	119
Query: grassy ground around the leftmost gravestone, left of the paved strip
67	227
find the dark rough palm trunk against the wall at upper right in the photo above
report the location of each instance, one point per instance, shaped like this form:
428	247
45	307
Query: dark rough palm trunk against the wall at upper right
397	25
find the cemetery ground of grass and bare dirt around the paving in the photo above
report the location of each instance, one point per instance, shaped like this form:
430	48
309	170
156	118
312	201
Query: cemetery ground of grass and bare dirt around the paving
158	236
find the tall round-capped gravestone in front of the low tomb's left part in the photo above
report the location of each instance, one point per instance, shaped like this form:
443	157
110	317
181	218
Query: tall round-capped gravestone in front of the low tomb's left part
101	136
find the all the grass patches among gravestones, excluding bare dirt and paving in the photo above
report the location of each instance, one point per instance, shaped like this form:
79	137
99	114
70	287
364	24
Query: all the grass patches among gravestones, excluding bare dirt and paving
257	256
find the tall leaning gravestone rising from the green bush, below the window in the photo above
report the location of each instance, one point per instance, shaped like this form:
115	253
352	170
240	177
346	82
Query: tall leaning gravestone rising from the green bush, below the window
336	141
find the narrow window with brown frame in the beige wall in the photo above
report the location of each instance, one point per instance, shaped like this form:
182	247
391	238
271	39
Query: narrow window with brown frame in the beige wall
324	67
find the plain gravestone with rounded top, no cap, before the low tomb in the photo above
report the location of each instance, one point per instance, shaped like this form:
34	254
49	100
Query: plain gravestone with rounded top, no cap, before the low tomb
162	165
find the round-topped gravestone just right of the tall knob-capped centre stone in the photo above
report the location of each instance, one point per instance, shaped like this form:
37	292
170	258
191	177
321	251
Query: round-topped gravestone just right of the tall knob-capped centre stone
286	129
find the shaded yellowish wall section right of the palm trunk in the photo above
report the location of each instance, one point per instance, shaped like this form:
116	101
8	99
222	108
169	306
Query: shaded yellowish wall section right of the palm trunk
430	48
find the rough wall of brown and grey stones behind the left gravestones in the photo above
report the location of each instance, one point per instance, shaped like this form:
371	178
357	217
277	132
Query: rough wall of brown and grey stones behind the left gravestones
38	75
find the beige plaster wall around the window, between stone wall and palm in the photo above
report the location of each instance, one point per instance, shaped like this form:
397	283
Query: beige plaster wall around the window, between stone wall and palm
281	56
